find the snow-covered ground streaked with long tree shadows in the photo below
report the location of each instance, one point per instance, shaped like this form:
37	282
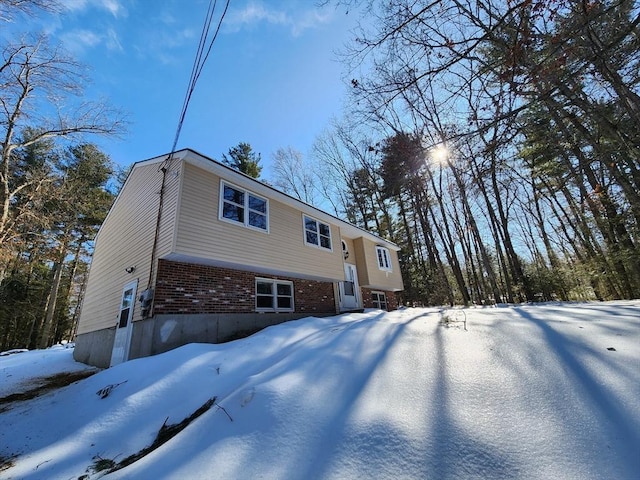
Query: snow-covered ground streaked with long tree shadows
534	391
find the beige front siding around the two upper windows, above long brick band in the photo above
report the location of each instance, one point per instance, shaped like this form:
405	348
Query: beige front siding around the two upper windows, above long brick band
202	234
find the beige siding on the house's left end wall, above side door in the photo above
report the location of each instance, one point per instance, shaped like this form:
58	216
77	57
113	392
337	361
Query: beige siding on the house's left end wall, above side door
125	239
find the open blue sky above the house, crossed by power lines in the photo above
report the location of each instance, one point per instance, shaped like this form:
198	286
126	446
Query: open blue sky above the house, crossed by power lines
272	79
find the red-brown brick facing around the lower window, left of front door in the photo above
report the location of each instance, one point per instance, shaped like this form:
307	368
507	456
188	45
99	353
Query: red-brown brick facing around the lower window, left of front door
185	288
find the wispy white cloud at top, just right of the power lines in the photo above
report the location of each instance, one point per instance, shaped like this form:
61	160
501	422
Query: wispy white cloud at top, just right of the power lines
255	12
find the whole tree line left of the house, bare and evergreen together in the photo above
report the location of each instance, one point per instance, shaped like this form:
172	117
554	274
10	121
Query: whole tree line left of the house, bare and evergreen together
55	187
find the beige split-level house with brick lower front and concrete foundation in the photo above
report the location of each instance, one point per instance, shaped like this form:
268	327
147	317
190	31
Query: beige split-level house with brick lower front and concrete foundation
193	251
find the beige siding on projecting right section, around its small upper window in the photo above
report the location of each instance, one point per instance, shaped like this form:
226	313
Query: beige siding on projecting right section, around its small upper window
369	274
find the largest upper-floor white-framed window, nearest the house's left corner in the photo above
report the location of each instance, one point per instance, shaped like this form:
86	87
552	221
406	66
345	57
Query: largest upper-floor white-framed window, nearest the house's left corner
243	207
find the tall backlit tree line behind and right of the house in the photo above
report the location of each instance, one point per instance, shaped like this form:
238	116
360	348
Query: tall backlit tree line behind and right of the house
498	143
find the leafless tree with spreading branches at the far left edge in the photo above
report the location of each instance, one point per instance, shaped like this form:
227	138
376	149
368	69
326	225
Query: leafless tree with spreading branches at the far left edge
38	84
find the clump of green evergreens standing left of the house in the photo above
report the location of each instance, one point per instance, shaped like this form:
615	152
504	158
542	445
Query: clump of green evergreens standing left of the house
50	249
